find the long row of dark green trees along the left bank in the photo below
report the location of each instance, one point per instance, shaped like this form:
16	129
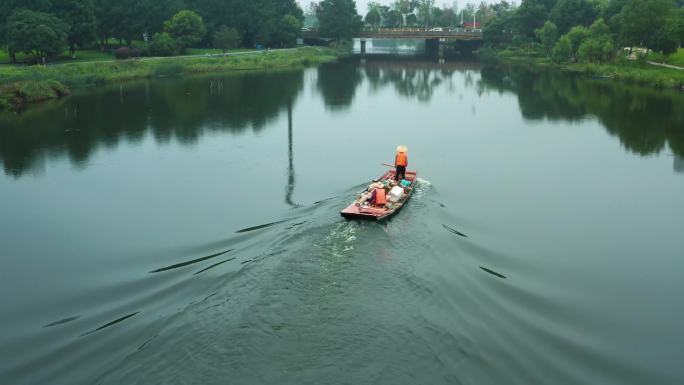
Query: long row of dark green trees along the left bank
45	27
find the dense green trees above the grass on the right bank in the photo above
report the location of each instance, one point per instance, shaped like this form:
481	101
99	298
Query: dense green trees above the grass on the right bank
588	30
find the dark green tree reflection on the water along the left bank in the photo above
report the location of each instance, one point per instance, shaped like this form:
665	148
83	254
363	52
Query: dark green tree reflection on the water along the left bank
180	109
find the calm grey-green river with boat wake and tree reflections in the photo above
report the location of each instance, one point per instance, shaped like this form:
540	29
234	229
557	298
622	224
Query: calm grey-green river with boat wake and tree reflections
187	230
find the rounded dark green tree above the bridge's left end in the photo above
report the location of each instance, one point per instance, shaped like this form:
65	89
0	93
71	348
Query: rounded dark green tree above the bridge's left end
338	19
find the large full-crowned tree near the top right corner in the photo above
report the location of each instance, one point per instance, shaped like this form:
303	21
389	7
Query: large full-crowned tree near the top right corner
640	19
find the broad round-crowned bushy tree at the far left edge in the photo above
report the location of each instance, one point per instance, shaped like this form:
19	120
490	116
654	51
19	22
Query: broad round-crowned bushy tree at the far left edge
36	33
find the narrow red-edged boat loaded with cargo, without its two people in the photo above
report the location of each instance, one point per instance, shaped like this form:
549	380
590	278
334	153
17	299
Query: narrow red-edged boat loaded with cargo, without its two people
360	209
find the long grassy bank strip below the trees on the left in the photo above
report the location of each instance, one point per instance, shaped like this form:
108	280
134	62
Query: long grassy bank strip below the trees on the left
21	87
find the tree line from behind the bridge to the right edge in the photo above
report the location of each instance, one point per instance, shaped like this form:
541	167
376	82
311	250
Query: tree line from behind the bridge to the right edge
564	30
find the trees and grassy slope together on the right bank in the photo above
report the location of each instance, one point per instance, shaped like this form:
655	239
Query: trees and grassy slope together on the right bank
621	40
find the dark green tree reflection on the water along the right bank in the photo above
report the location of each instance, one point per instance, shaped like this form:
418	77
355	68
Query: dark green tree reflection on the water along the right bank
645	120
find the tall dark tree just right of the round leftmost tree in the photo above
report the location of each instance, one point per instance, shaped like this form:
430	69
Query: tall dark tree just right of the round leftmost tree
80	16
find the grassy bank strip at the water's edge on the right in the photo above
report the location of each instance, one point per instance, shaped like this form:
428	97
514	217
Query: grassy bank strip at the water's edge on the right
632	72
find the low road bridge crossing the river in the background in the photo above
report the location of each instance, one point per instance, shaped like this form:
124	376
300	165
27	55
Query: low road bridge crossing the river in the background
434	38
